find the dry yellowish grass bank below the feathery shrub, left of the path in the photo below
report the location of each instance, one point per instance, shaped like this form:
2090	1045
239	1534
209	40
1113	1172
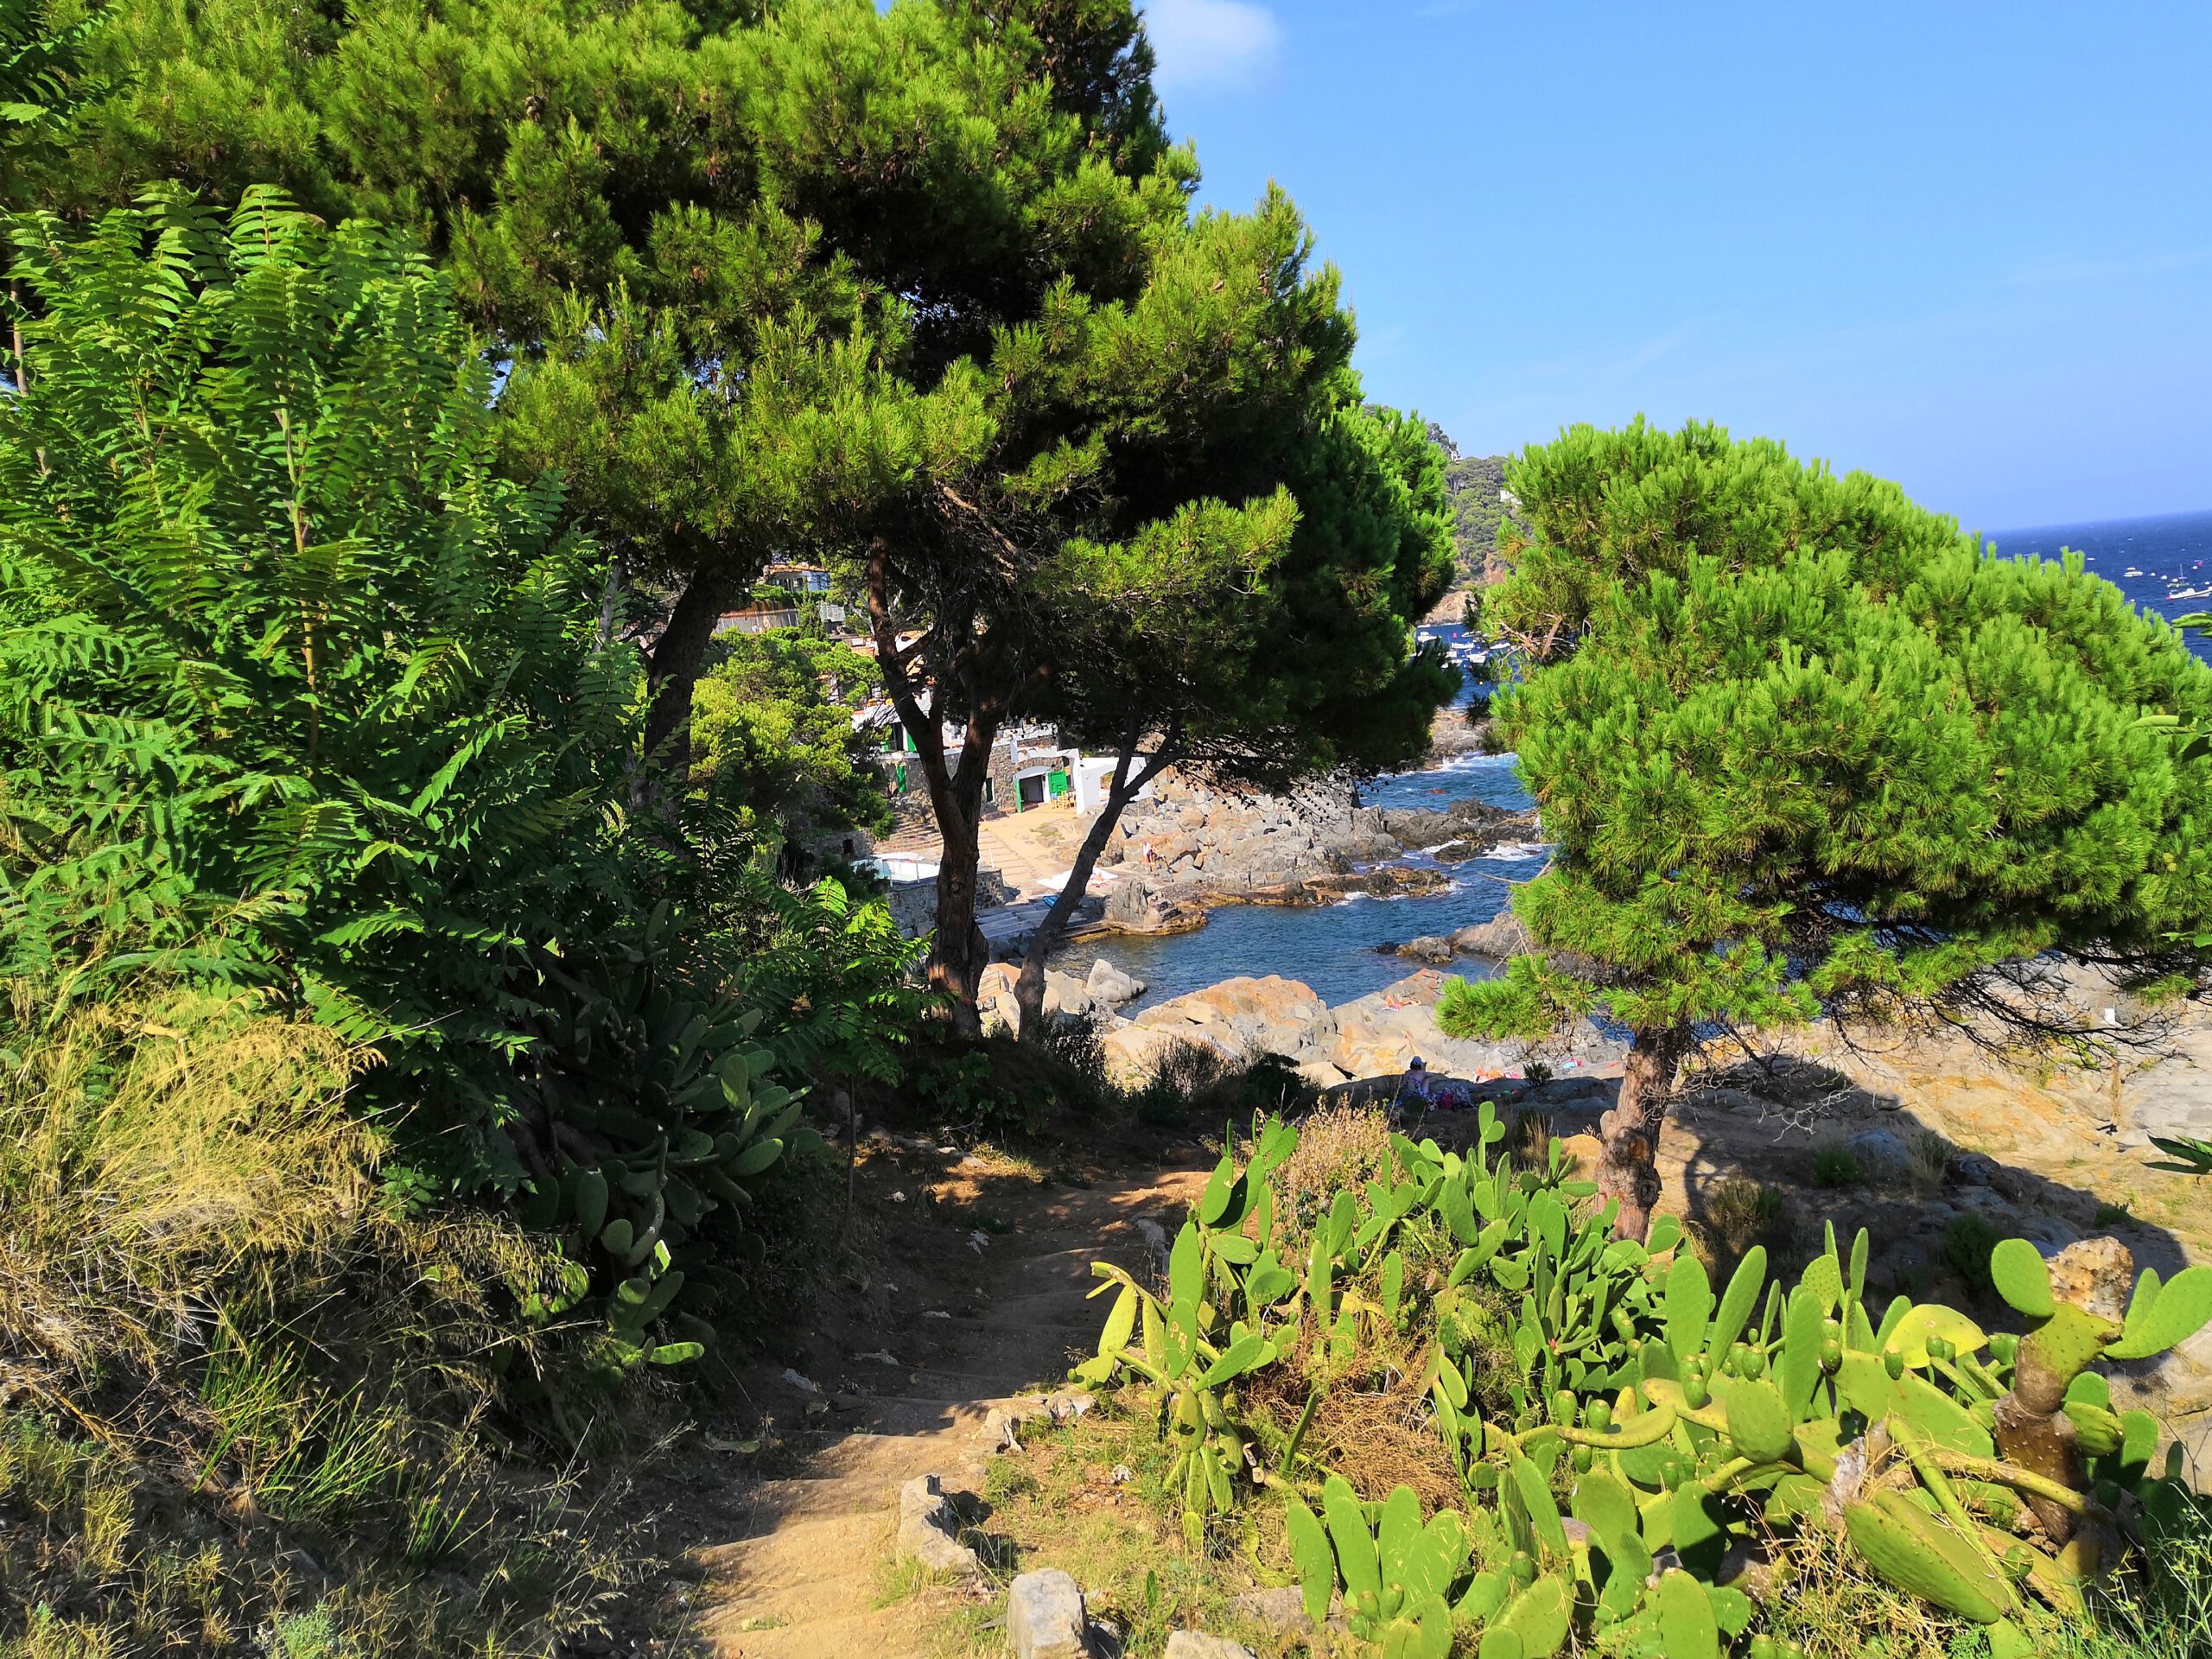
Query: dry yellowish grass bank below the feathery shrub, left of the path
244	1399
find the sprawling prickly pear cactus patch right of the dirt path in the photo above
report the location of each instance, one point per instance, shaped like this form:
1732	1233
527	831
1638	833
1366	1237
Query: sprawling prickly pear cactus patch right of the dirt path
1979	1472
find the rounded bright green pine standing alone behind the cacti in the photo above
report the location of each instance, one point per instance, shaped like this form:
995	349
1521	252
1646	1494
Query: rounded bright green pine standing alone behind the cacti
1811	753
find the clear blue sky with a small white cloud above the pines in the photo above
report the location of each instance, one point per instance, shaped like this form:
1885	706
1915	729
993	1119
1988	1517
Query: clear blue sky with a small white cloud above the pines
1965	247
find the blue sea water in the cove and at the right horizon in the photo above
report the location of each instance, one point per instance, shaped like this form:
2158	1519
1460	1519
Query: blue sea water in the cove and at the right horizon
2164	565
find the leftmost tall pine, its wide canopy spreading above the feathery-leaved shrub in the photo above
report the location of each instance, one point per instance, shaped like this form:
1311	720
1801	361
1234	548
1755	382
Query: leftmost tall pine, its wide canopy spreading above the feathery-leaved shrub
742	260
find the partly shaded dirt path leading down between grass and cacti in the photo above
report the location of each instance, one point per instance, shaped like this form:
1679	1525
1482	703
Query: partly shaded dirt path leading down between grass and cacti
804	1572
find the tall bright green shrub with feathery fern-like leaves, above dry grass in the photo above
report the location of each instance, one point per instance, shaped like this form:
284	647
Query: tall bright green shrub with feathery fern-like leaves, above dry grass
295	691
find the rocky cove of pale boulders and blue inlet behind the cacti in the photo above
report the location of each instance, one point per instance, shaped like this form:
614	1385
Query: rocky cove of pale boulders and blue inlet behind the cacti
1326	928
